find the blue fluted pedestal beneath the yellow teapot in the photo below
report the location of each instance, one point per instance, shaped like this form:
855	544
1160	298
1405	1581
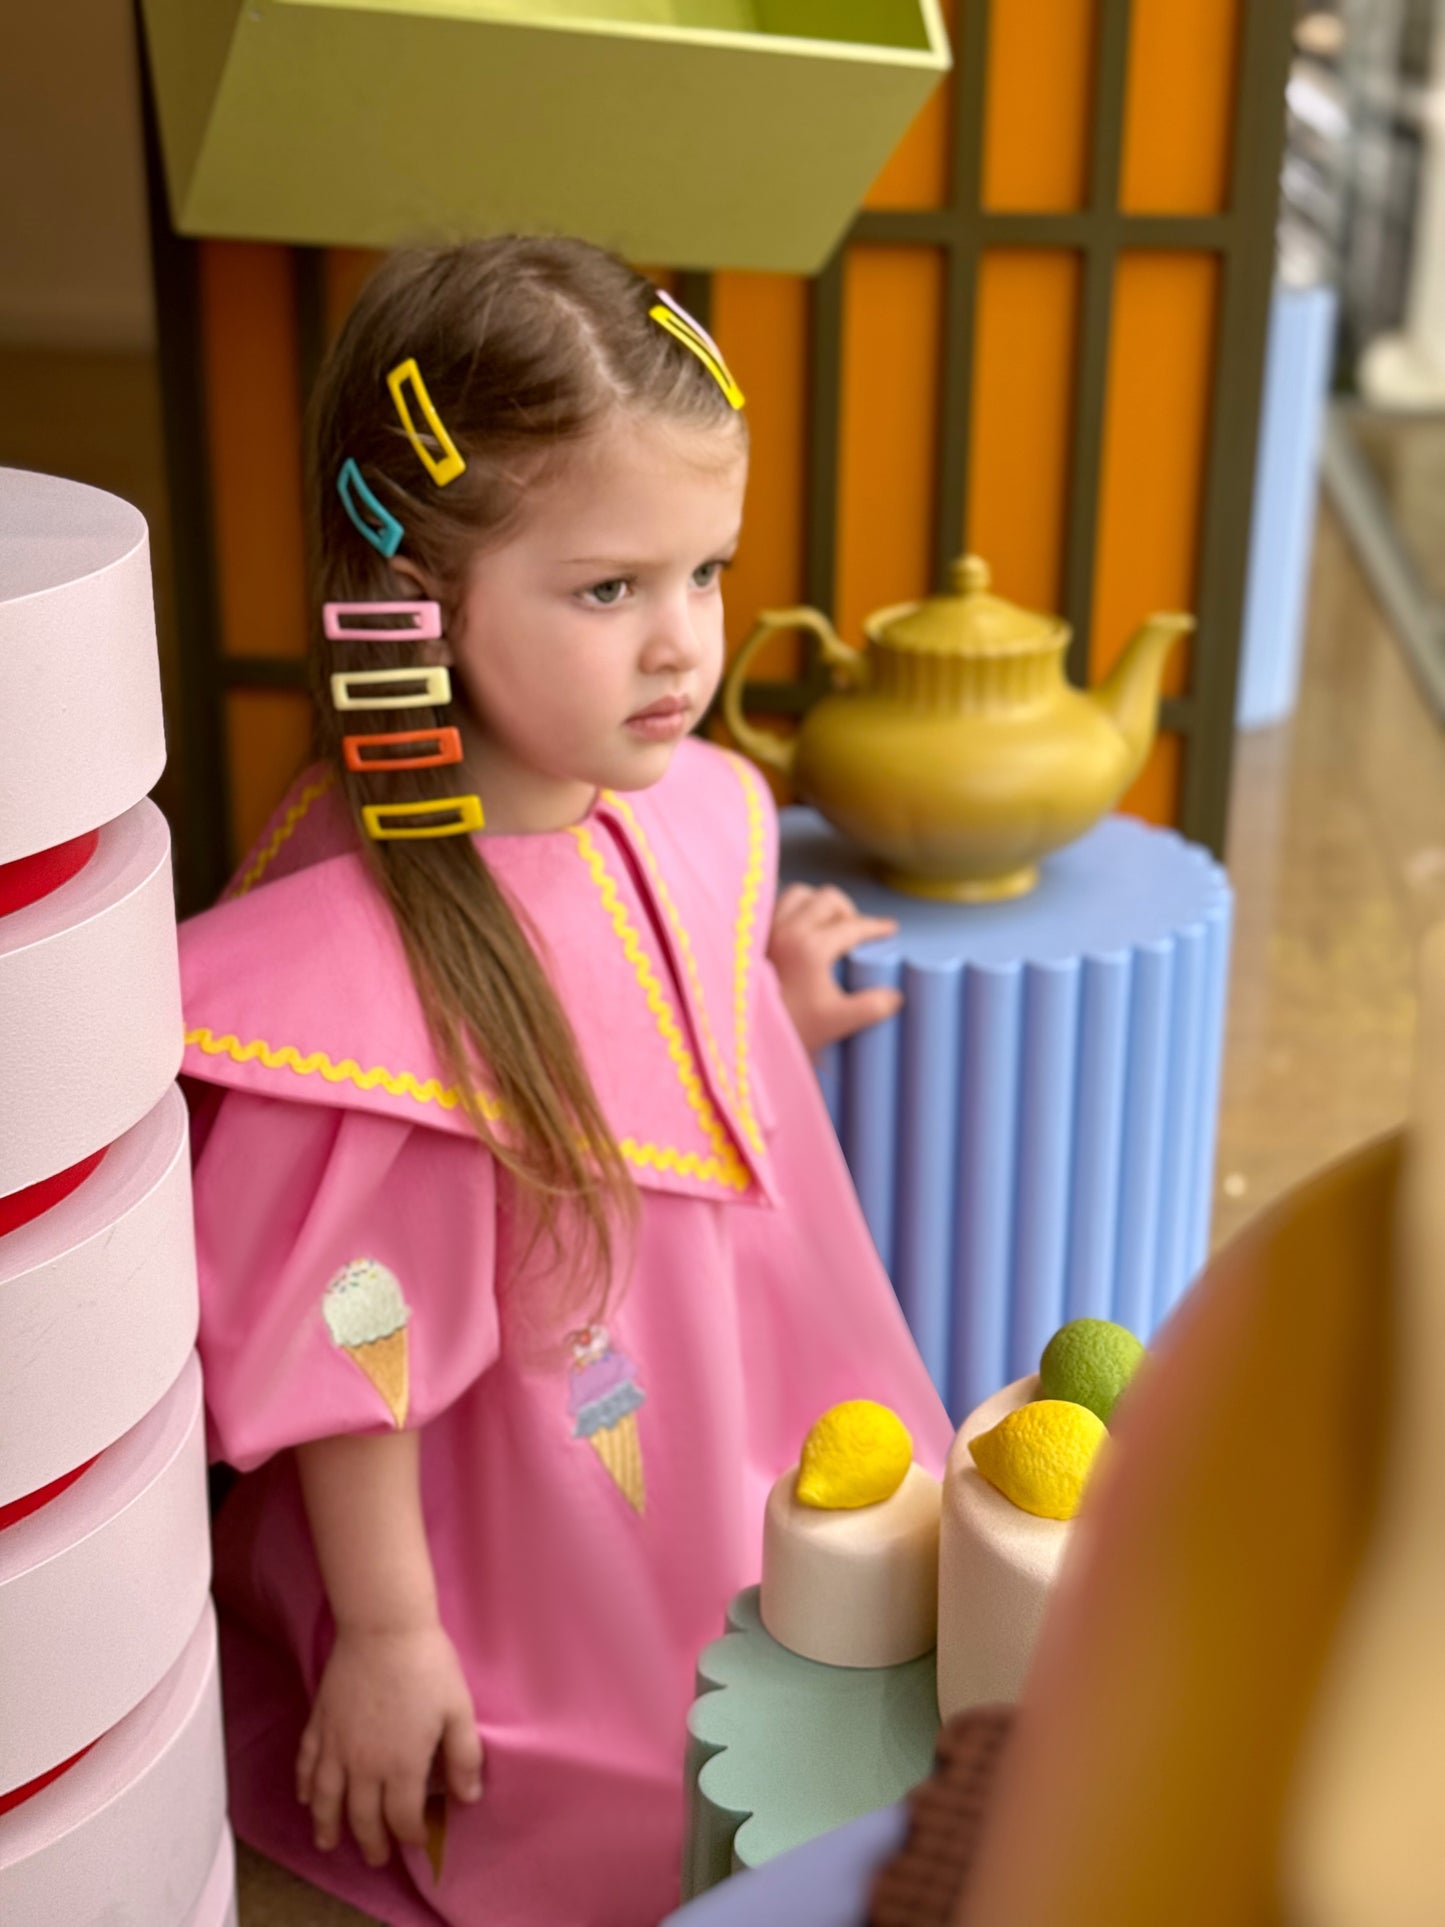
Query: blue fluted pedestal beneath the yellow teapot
1034	1136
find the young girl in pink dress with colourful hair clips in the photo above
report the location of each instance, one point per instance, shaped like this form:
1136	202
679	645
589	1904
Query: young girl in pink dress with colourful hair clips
527	1250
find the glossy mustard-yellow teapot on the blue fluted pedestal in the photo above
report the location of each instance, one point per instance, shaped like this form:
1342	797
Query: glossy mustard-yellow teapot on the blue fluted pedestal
953	751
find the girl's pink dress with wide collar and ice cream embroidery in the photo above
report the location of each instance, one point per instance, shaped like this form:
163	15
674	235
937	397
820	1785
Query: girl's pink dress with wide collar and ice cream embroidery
591	1506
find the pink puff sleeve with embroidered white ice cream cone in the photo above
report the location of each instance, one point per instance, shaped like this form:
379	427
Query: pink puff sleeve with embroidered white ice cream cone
346	1271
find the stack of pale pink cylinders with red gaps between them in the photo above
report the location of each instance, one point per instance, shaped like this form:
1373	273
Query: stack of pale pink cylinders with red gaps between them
113	1782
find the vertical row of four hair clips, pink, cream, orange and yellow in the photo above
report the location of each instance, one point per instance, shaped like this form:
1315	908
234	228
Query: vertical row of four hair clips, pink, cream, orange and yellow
427	687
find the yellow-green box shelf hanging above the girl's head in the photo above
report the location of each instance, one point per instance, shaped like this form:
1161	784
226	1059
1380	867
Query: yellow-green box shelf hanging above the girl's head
702	134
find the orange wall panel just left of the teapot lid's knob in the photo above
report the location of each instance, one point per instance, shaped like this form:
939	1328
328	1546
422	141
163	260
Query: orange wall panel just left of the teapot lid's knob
893	323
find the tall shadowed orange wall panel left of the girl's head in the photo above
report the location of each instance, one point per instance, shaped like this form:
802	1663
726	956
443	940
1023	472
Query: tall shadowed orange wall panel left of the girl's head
253	415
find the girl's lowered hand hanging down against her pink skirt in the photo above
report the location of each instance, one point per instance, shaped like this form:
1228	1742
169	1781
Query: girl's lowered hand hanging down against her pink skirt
386	1703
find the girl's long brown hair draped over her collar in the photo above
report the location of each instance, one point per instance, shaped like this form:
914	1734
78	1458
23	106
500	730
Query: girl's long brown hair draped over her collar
527	346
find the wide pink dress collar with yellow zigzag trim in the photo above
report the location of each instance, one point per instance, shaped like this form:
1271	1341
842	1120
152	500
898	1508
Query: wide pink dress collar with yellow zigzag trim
650	914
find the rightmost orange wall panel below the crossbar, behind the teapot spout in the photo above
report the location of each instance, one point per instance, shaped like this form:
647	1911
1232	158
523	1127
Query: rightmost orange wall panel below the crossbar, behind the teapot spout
1157	431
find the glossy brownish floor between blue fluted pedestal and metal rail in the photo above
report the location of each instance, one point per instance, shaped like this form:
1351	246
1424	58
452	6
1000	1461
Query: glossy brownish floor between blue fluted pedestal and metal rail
1338	858
